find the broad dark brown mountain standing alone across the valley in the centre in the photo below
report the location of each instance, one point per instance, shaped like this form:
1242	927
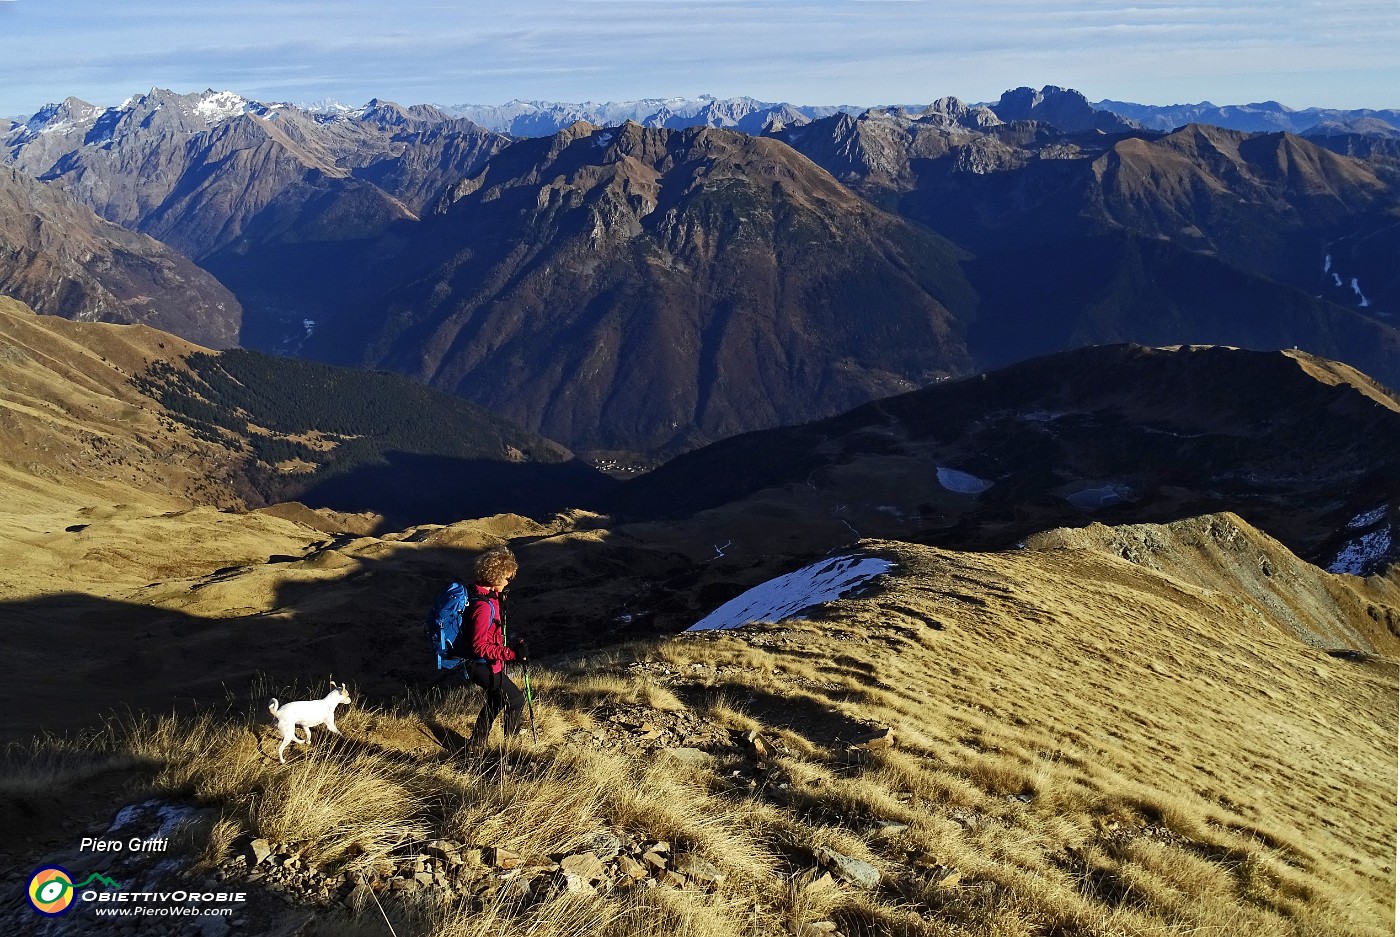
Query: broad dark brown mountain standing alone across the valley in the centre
731	253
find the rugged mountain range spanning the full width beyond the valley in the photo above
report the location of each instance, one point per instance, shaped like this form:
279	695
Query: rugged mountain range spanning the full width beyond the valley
649	289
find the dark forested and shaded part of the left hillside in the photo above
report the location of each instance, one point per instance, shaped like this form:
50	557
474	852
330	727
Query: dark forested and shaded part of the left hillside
366	442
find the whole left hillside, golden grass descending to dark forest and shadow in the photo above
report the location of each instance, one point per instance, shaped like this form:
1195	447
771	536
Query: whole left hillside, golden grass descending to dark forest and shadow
134	414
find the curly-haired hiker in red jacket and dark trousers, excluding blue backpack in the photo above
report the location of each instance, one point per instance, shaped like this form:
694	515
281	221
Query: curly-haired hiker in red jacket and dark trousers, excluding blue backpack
482	644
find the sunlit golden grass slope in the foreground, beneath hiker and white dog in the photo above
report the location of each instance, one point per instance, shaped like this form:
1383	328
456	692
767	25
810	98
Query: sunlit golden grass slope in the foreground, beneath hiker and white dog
1084	747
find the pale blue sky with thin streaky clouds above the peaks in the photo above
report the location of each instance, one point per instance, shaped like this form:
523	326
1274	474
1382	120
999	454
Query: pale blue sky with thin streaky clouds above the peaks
1304	54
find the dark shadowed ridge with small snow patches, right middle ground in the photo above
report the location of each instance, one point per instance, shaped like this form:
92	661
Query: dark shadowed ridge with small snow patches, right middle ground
1296	445
